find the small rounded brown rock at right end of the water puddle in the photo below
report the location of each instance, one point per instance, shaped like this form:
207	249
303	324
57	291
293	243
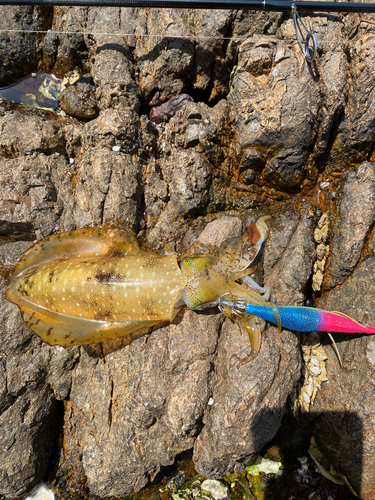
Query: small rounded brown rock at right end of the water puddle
79	99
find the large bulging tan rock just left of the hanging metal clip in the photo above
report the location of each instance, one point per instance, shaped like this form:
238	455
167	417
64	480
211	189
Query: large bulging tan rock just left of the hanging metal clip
257	124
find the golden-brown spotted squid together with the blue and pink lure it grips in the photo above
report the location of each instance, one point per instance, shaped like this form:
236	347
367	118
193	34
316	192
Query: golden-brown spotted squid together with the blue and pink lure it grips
97	283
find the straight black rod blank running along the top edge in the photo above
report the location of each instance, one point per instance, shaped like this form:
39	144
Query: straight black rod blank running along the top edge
266	5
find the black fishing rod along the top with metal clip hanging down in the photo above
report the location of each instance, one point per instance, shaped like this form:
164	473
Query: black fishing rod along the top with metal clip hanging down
307	41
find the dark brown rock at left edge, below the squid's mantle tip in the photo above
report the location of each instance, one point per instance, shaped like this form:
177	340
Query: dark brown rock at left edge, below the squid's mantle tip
32	378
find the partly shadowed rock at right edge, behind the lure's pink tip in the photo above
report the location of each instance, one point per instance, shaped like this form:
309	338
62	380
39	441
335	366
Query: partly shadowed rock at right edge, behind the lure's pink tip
344	429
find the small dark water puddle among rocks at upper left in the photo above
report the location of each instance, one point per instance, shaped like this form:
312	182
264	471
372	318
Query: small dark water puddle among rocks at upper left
38	90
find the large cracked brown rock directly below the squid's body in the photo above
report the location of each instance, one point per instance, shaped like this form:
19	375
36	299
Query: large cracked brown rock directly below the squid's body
160	384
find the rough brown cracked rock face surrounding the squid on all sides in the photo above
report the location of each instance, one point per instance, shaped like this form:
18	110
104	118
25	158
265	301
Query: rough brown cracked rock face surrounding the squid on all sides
267	134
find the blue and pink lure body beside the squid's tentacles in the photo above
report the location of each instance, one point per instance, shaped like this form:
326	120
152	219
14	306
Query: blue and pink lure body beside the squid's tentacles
308	319
